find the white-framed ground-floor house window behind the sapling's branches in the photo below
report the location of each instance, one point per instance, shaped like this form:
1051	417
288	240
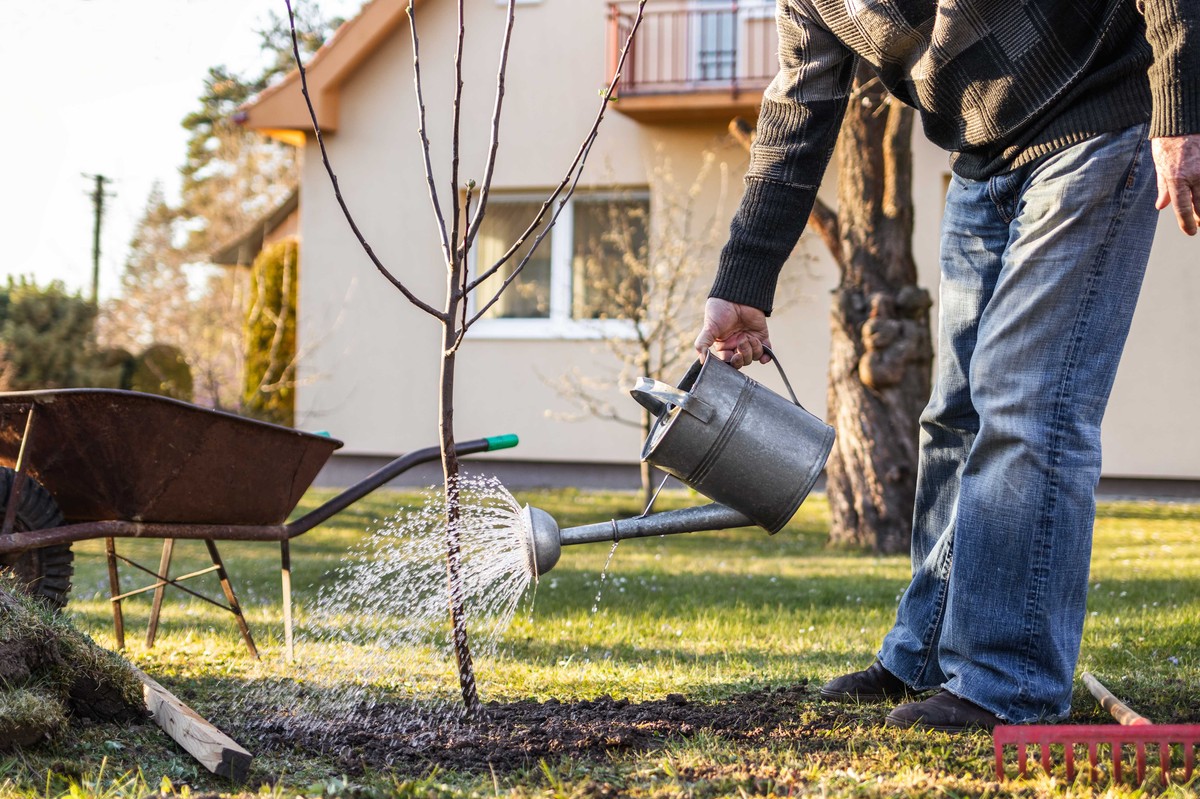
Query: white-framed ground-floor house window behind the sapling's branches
583	279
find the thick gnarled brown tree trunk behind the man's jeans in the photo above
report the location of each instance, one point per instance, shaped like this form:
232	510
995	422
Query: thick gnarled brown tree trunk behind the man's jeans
881	352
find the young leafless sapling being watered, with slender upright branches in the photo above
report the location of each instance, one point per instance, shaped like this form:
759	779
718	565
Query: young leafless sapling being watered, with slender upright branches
458	227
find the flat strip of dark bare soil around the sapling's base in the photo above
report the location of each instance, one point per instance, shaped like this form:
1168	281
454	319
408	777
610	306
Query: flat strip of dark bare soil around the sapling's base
519	735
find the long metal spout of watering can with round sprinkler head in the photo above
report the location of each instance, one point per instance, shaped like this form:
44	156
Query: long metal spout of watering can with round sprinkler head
545	540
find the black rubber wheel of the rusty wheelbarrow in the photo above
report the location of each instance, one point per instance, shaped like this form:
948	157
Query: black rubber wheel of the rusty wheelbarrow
45	573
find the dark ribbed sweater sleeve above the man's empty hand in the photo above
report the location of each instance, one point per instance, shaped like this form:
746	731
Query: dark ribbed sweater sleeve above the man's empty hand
1173	29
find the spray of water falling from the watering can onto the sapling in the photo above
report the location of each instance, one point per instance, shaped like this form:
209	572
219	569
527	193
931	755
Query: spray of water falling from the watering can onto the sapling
374	647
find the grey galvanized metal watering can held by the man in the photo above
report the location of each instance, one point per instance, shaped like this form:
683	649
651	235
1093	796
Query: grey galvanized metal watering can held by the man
733	440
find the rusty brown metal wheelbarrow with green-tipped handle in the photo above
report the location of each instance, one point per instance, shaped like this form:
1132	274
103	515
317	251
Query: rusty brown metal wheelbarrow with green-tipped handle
101	464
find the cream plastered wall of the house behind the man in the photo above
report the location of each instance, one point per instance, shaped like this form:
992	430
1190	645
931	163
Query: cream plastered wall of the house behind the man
370	361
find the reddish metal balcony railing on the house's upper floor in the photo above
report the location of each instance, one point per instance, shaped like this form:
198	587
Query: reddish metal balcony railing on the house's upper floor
695	46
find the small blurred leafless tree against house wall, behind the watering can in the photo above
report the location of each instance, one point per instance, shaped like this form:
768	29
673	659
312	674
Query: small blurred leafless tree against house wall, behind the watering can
647	271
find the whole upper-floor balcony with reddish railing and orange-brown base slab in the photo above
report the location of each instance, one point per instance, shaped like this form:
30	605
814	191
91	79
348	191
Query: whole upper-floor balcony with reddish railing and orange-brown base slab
694	61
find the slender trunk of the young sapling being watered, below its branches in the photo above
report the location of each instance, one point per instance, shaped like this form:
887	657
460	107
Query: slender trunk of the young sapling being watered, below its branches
454	552
